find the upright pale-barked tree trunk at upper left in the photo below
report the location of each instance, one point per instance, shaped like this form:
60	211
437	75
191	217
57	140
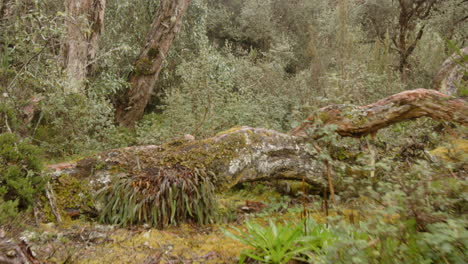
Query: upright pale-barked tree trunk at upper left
85	23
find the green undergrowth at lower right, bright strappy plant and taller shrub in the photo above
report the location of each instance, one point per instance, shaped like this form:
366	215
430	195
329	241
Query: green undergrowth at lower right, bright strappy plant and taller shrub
417	219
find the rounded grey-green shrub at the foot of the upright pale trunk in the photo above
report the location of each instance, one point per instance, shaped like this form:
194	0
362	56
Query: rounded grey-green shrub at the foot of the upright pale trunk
75	124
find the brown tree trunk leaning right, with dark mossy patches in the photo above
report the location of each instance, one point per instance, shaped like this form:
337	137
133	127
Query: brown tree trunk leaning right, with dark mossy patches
131	105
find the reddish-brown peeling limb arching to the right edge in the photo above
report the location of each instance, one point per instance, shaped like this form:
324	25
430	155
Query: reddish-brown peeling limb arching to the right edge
357	121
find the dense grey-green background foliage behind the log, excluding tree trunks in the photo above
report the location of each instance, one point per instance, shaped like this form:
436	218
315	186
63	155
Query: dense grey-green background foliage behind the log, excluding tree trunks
230	65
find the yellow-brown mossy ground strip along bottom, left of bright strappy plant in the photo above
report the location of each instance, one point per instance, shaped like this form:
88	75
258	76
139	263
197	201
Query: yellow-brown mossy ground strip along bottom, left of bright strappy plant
91	243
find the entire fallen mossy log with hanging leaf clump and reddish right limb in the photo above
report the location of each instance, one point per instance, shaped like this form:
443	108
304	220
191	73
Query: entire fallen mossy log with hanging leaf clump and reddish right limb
165	184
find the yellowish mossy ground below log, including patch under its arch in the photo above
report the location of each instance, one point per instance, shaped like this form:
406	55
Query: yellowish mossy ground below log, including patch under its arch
84	241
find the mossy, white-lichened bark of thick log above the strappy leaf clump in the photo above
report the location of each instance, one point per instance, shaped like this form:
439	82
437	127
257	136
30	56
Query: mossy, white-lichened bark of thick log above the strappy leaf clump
238	155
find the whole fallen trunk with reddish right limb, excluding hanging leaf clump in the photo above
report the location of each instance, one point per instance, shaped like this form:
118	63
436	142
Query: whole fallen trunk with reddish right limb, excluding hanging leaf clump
245	154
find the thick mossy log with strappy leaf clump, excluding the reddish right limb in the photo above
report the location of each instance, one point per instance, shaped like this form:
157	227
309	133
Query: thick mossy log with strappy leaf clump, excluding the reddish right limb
176	182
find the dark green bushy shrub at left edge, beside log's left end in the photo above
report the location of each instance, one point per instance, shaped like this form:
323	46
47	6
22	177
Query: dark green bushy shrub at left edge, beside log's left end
20	179
